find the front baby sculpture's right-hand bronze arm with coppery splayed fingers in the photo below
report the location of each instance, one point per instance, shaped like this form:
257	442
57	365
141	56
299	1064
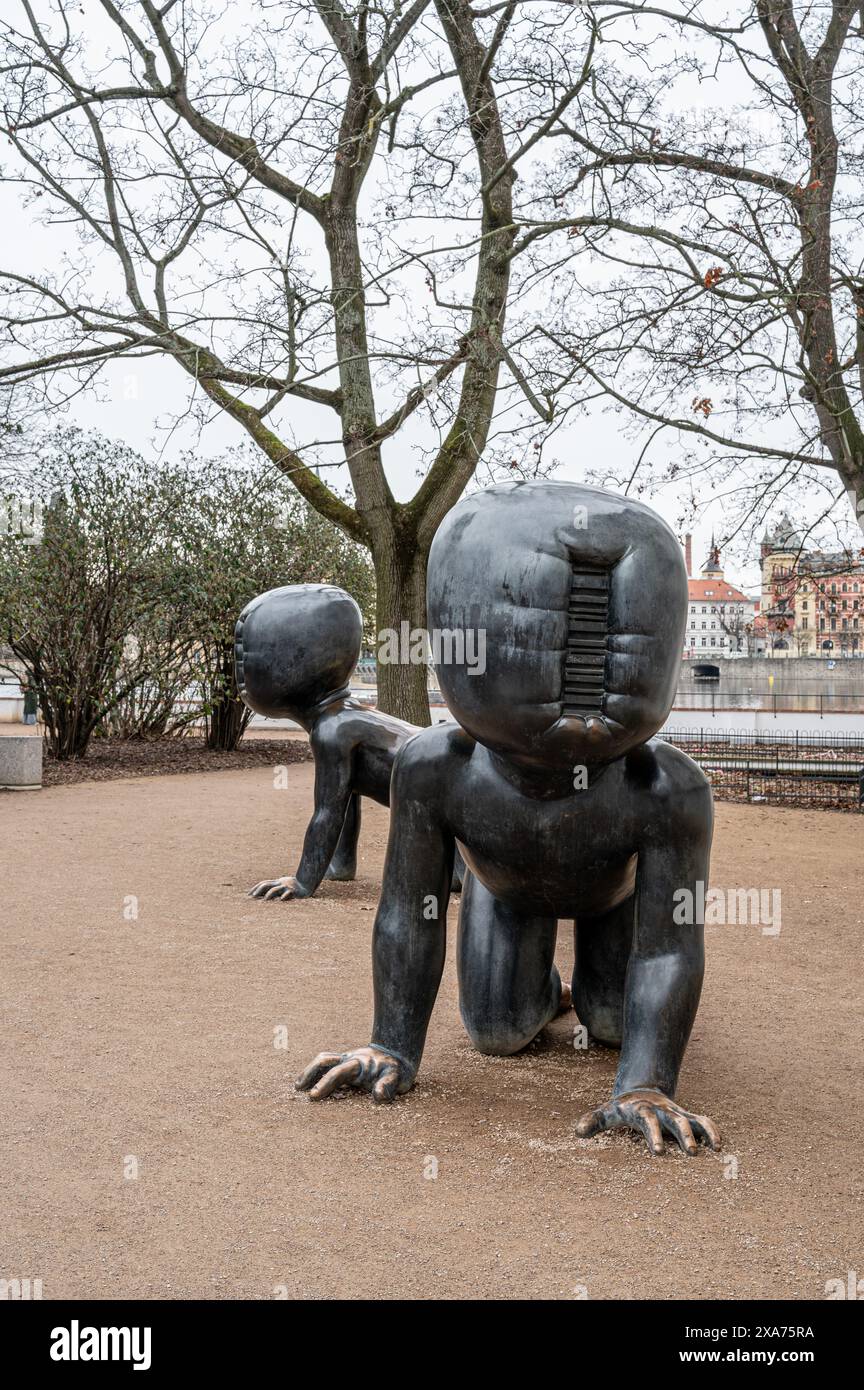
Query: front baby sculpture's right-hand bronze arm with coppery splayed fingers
663	988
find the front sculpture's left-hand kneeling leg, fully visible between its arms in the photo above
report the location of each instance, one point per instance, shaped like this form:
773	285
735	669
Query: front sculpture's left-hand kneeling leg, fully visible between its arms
509	986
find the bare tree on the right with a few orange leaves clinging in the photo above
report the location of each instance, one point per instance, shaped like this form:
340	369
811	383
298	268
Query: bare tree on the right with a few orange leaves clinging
708	209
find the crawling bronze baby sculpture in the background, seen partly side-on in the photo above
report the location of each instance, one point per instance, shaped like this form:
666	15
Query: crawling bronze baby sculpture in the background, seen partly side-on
295	651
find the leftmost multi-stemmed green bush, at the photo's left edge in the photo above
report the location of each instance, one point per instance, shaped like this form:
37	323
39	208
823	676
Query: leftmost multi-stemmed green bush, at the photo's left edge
73	593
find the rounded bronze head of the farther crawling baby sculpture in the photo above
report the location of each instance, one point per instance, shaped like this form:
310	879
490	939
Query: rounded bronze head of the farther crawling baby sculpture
297	647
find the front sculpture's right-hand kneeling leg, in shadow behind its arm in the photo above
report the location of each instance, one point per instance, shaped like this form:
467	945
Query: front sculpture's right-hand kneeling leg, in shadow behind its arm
602	951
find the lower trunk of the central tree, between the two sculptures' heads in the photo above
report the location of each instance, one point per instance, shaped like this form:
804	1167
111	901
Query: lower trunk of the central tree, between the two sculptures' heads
402	600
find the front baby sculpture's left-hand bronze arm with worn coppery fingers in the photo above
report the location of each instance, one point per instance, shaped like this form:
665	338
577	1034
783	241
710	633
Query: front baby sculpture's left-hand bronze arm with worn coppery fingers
408	946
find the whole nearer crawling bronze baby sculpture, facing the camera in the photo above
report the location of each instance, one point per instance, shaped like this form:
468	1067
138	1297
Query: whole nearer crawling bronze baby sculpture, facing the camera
560	801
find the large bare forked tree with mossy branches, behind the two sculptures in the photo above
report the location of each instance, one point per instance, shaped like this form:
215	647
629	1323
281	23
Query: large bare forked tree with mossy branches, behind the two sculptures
216	166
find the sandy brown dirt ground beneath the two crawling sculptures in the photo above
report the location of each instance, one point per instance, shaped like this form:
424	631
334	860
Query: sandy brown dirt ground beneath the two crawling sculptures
151	1042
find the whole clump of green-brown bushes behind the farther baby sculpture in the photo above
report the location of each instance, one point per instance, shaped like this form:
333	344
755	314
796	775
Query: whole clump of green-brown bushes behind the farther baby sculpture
123	608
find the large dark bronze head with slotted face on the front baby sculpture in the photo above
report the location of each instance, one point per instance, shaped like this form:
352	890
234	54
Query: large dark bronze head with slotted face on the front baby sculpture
581	597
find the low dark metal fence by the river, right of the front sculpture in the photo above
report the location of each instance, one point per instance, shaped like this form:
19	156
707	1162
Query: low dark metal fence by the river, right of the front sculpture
787	768
